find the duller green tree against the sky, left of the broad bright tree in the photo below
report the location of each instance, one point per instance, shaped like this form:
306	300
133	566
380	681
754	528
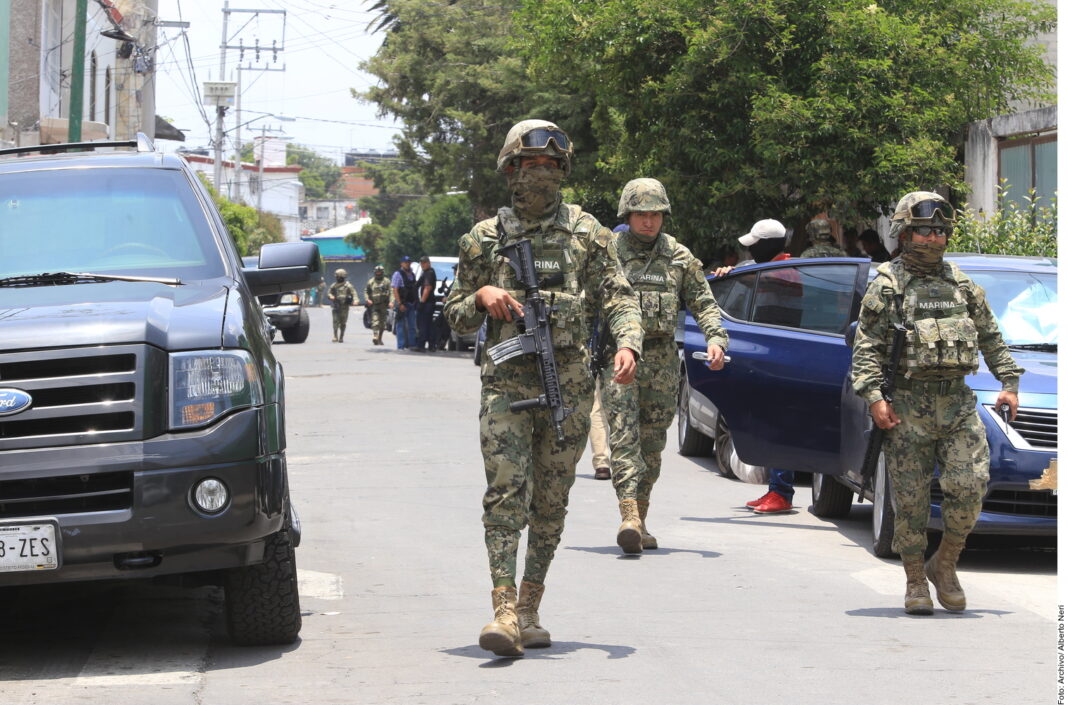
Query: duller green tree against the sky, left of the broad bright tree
448	73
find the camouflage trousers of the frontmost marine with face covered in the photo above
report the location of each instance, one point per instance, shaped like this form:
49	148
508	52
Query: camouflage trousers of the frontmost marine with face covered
529	474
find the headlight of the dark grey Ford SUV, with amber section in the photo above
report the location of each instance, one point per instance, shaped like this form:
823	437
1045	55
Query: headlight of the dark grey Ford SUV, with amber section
208	384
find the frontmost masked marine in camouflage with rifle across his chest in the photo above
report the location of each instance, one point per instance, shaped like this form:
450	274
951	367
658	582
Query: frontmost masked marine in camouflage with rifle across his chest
529	473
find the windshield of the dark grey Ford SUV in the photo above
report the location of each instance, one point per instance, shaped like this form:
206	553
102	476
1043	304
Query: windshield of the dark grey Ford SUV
120	222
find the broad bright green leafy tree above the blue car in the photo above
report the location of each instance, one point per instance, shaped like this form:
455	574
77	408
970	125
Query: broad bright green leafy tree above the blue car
751	109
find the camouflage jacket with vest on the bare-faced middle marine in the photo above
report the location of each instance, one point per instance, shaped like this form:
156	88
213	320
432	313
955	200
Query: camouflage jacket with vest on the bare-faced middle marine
666	276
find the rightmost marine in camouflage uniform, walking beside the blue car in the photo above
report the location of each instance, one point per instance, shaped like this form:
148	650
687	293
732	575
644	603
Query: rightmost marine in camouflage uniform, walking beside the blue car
933	419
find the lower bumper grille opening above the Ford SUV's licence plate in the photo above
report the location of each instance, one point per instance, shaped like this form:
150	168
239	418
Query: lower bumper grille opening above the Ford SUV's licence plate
67	495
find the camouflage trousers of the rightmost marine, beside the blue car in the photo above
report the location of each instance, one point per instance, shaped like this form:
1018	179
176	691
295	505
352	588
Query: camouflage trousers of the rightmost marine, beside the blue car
941	430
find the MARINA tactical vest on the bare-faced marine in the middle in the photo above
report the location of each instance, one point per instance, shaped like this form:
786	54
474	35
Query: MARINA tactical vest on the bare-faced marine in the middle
655	279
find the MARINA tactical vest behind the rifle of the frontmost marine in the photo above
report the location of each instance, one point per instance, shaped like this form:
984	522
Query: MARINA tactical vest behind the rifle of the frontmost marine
559	256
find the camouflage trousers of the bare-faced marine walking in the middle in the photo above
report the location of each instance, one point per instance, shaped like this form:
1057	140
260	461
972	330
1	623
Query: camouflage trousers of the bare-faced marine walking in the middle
638	417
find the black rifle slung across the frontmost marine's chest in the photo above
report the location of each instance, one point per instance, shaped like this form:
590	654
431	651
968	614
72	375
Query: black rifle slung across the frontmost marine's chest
535	338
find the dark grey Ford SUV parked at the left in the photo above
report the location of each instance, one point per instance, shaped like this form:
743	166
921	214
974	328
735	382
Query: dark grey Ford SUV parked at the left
143	411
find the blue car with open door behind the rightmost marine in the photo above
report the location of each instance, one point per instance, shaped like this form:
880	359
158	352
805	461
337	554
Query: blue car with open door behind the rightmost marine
787	399
